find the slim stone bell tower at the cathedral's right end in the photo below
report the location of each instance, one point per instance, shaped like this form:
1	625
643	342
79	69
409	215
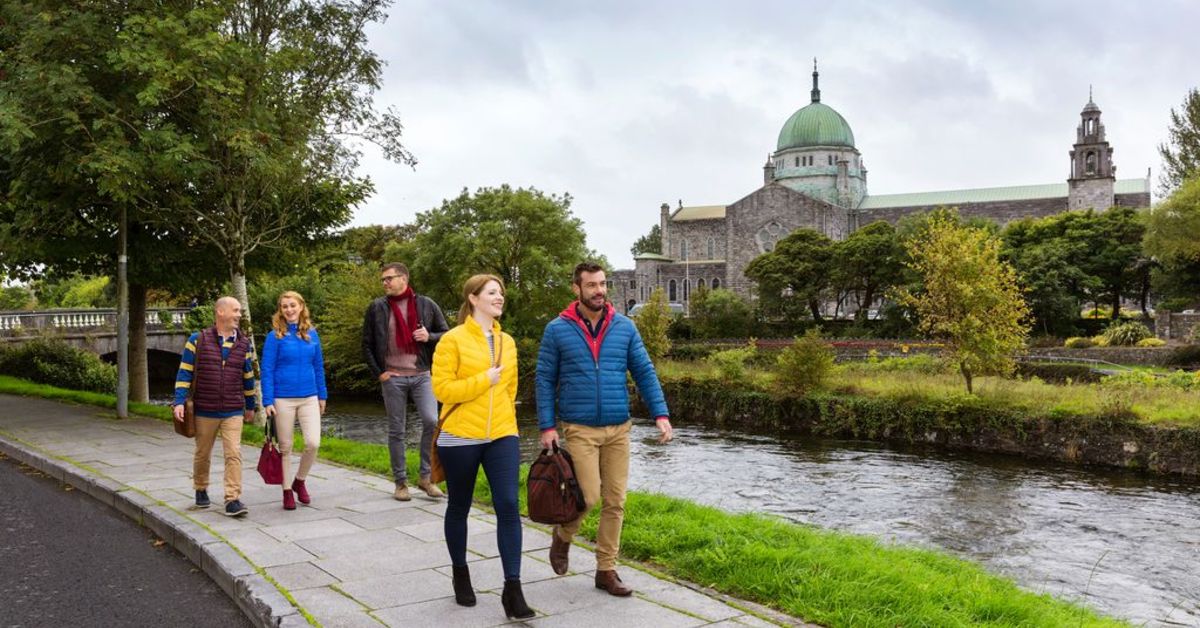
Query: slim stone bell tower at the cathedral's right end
1093	174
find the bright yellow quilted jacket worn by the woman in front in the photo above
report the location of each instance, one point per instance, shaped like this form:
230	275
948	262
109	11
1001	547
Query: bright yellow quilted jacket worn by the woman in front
460	378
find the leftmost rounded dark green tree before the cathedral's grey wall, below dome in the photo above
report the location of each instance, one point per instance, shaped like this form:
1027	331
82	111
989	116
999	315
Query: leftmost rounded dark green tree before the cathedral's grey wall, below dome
797	272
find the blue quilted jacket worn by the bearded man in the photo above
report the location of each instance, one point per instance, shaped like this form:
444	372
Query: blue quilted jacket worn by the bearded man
584	381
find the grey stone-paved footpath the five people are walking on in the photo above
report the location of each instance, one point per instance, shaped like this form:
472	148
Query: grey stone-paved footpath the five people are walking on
355	558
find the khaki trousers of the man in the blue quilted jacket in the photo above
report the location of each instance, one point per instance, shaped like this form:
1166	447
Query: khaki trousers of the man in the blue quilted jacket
602	465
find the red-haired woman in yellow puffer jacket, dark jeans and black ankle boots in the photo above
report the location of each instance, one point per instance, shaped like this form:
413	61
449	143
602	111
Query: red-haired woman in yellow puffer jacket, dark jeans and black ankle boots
476	380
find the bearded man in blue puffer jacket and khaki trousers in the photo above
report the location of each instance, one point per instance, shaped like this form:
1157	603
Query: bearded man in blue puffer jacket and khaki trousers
585	356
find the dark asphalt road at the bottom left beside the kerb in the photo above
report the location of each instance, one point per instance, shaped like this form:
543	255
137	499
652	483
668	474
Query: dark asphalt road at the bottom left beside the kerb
69	560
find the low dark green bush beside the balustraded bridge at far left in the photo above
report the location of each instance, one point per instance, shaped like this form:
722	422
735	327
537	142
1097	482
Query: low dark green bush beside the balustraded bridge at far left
53	362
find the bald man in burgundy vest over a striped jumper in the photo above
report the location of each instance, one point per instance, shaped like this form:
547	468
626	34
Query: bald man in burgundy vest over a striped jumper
218	368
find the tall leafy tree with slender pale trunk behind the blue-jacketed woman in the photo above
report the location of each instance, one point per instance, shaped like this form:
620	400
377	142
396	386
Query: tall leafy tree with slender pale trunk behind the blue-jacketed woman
260	99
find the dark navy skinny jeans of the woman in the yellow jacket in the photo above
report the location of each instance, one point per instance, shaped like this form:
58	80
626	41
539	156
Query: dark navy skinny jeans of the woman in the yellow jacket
501	460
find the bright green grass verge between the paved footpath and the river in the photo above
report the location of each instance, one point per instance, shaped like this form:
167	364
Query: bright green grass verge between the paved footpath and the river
830	578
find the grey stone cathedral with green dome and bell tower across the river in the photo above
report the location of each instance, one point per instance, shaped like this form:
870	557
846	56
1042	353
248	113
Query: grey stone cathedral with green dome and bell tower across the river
817	180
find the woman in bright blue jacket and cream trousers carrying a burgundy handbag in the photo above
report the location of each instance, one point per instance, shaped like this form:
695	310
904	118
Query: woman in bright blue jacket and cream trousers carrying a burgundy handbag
295	390
